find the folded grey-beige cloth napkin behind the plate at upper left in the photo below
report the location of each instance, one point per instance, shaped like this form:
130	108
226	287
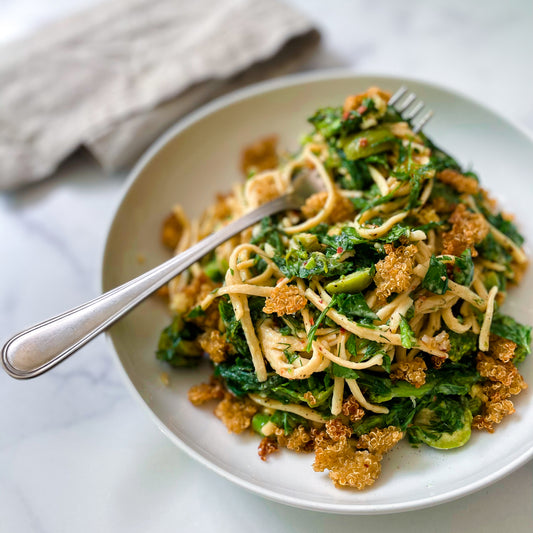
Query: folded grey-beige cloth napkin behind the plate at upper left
115	76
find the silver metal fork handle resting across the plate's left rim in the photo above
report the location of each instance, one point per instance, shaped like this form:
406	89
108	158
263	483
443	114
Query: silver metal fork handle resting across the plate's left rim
37	349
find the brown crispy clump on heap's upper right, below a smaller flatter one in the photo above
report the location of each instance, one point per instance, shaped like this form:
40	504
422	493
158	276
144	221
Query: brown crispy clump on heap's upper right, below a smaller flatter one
467	230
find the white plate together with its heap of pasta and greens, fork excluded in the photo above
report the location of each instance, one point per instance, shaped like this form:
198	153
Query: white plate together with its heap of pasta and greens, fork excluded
368	353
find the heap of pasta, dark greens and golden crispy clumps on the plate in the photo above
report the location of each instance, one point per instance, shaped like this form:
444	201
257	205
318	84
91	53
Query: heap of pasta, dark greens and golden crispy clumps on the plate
369	315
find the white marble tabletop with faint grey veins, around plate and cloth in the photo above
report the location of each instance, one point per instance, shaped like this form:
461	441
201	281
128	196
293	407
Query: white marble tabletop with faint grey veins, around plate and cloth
77	454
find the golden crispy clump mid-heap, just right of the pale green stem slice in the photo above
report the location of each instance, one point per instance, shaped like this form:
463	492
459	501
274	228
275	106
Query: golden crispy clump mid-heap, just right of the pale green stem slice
394	272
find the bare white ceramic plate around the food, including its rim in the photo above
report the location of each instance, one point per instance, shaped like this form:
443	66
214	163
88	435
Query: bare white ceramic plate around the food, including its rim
199	157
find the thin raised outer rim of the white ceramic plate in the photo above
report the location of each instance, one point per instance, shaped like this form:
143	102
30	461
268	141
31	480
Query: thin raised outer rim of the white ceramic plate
181	125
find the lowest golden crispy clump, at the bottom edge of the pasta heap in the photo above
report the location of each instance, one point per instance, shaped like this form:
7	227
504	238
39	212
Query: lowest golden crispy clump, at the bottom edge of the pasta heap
347	467
